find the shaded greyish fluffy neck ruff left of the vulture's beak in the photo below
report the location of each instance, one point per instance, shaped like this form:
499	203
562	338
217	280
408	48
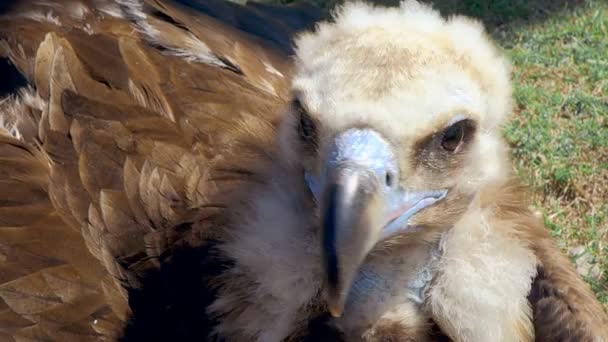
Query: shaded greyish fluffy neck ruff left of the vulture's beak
274	245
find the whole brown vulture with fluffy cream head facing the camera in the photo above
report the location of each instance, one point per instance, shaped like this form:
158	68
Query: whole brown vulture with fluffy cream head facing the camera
209	171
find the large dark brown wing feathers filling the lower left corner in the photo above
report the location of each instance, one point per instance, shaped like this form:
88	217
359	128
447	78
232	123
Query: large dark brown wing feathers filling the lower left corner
50	284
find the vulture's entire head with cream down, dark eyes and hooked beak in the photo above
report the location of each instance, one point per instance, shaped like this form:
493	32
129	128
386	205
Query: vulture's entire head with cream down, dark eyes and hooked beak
394	124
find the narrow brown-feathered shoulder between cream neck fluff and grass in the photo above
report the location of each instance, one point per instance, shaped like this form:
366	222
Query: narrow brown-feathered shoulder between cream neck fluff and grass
563	306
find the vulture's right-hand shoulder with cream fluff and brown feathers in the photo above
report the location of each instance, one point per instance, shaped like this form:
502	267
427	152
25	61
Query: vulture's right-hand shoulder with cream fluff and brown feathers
485	265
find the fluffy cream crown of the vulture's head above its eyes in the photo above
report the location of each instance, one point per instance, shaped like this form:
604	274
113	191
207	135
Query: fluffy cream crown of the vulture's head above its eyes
371	55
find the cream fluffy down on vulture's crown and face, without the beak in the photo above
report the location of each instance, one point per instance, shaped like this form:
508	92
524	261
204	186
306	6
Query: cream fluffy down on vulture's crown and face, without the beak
407	73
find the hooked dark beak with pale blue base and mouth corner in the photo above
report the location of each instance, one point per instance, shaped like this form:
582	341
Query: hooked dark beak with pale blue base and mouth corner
361	204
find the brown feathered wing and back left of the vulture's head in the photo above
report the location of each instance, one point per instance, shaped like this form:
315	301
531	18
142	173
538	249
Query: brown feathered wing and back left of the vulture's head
111	158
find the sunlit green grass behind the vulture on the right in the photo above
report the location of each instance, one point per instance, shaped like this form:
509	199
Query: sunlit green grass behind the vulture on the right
559	133
